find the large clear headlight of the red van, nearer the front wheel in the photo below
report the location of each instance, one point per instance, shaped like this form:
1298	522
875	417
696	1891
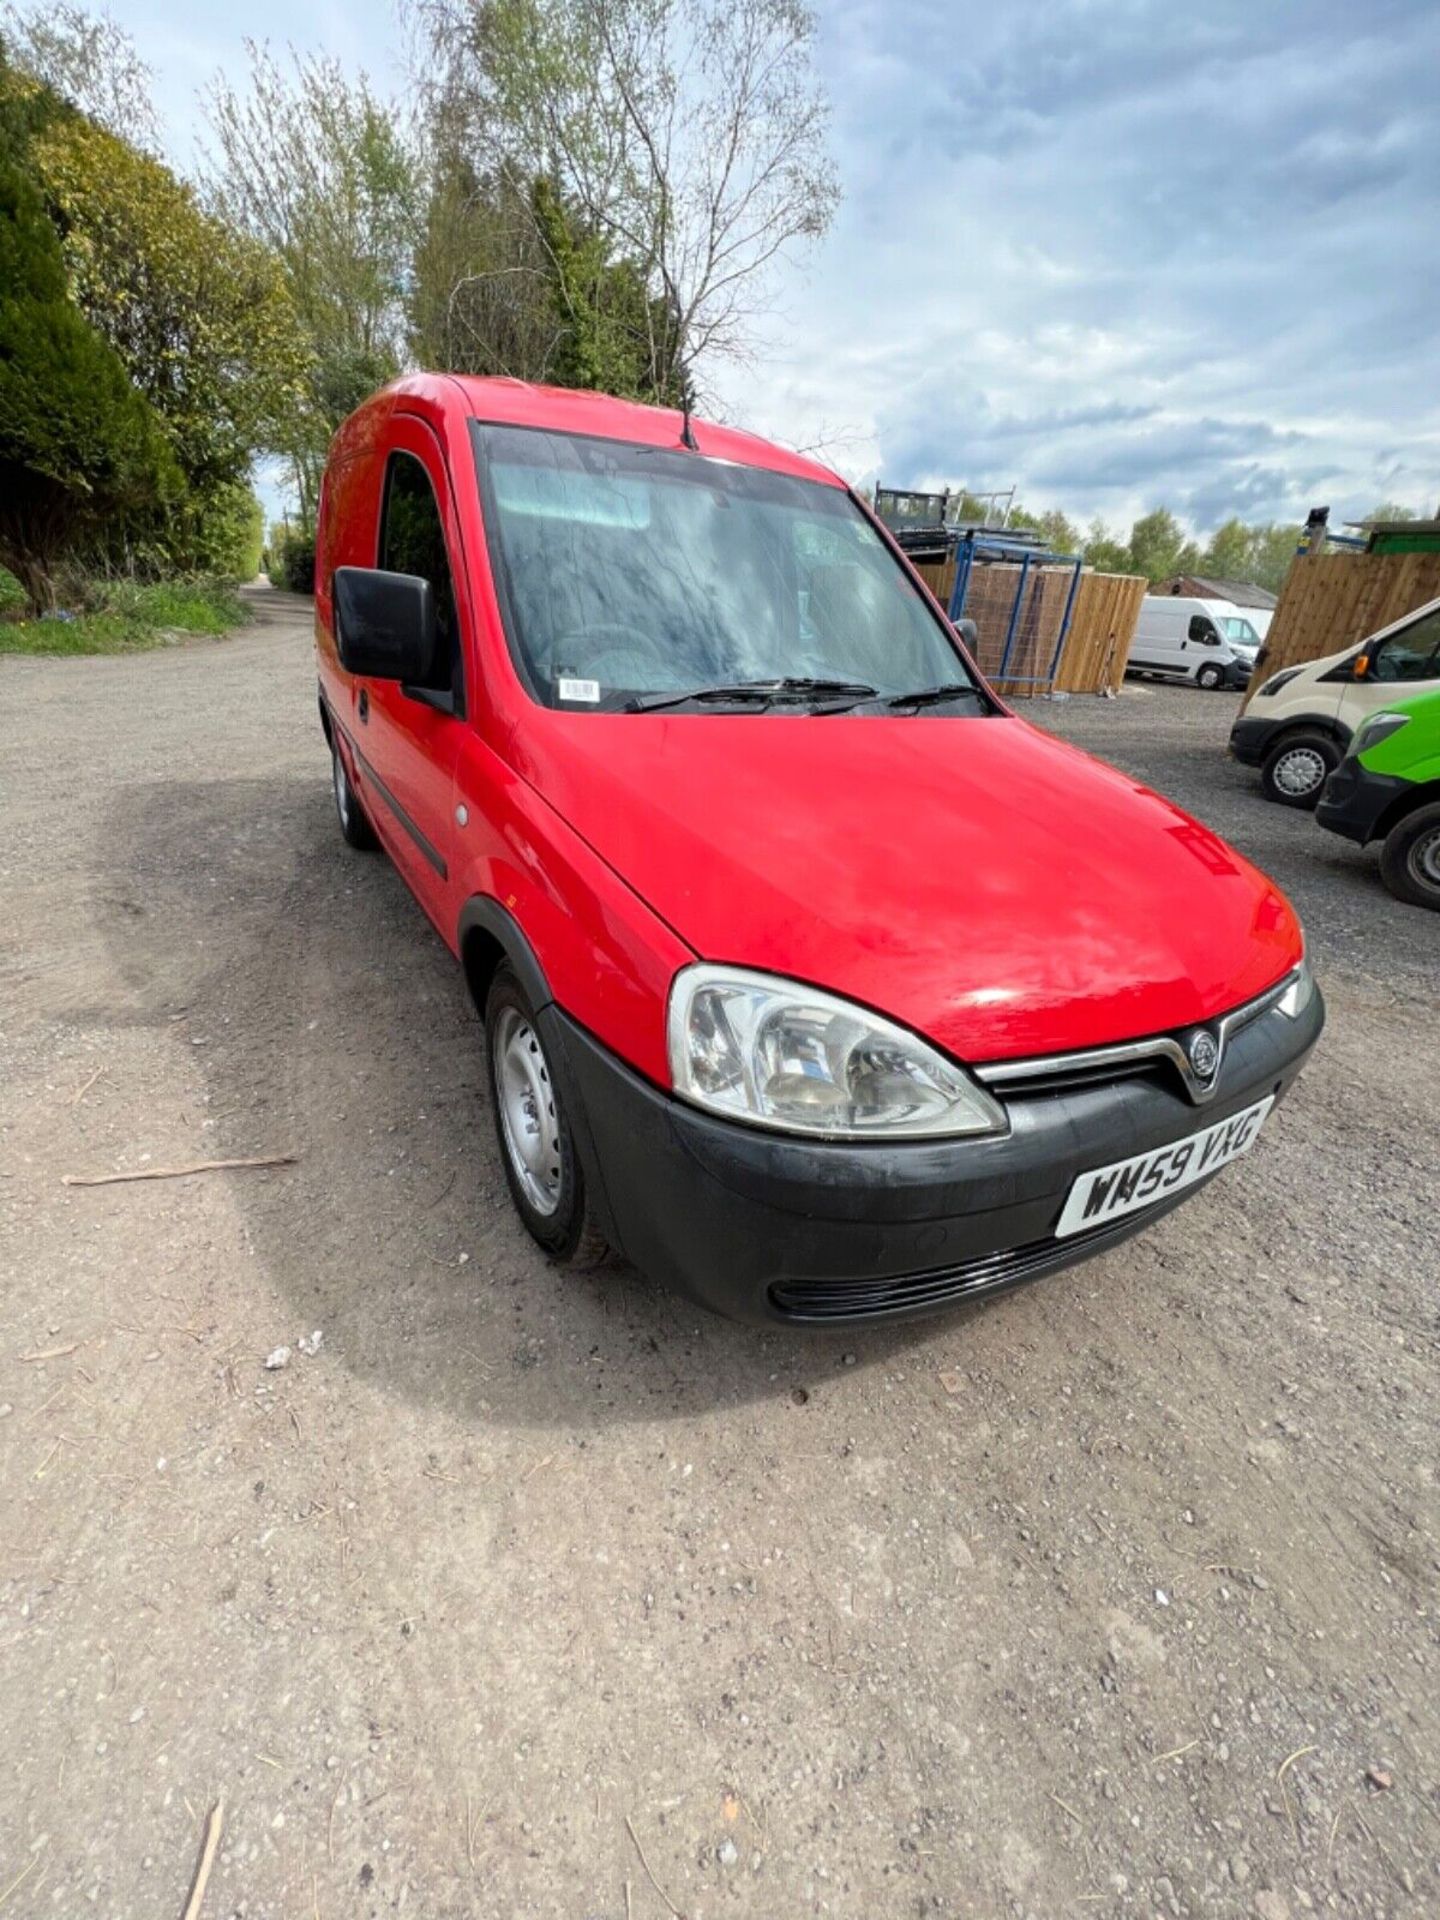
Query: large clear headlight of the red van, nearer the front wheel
775	1053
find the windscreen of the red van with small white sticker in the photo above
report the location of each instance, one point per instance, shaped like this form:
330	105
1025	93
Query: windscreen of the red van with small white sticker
636	571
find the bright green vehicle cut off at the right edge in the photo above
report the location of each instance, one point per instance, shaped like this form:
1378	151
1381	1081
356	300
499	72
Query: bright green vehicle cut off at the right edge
1389	788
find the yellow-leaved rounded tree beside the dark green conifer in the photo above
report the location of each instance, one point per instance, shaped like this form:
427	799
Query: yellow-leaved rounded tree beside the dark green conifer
197	314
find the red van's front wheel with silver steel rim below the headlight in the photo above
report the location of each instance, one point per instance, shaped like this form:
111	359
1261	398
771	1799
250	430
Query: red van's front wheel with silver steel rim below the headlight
535	1138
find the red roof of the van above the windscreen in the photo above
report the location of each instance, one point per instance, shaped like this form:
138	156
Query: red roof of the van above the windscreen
506	402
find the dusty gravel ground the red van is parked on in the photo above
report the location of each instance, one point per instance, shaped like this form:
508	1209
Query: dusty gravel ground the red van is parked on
542	1596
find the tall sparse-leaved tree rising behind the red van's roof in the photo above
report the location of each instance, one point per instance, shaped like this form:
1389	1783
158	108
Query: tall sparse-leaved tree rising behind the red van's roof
686	135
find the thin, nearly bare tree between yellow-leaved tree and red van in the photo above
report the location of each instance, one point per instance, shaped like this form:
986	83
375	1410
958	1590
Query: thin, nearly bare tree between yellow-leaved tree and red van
324	176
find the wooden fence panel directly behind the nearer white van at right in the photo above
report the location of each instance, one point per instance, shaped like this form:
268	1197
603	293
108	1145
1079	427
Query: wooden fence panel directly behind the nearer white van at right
1333	600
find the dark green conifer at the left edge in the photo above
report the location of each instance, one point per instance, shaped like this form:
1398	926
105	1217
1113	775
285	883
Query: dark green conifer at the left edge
76	439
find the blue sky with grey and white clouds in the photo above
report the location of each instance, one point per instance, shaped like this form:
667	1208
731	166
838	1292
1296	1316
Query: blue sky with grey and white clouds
1118	252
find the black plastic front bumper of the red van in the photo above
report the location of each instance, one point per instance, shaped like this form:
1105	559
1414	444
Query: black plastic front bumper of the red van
767	1230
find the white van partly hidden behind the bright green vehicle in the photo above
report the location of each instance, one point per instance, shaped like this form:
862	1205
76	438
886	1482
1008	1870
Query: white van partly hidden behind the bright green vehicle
1303	719
